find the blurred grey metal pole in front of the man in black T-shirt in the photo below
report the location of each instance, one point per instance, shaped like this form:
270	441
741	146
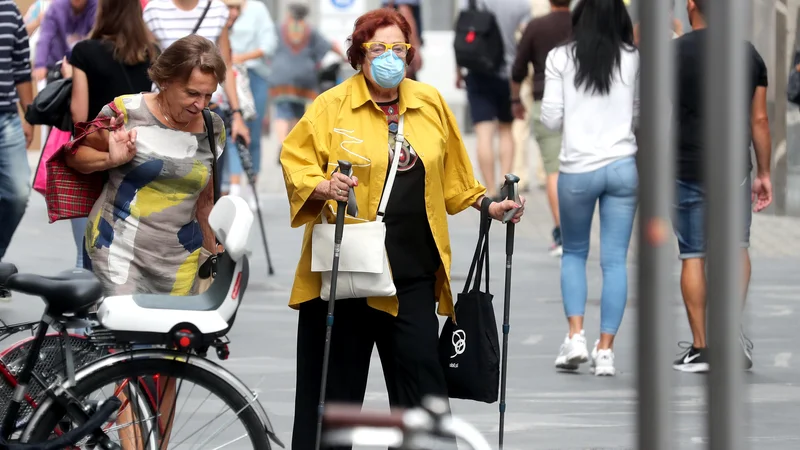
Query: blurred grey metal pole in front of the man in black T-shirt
726	119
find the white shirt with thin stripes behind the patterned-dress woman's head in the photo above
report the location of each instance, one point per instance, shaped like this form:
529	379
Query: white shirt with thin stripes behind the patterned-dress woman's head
168	23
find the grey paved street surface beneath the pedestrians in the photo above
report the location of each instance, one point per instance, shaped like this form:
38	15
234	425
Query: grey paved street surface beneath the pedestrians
546	409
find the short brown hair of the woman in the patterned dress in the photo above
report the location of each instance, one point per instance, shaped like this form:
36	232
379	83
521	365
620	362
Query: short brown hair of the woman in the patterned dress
178	61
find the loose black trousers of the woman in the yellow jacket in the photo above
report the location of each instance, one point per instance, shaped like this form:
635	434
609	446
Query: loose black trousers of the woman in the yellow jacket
407	345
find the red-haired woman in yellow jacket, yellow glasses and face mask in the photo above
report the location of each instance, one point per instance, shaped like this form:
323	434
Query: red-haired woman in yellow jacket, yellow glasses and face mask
354	121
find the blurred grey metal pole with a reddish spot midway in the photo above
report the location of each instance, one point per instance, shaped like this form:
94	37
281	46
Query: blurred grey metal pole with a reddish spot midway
656	262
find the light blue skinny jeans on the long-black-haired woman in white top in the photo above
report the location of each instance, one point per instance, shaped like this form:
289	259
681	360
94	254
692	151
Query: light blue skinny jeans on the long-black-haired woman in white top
615	187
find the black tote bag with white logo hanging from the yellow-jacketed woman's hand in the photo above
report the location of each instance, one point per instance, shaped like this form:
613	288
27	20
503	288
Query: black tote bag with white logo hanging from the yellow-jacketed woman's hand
469	350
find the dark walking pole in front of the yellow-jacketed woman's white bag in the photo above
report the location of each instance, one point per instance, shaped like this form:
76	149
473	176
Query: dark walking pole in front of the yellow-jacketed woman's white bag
347	169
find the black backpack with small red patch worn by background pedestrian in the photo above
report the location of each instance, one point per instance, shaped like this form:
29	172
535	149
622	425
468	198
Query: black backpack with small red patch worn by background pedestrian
478	43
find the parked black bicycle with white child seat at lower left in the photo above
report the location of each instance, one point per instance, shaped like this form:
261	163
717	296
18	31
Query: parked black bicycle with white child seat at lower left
177	333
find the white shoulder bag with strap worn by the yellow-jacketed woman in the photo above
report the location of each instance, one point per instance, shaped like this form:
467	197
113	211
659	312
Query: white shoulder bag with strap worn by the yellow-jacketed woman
363	265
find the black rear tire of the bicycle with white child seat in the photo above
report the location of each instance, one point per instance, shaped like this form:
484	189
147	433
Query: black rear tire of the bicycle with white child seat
49	414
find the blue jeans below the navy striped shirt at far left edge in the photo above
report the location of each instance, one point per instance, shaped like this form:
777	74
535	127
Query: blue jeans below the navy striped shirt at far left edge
15	186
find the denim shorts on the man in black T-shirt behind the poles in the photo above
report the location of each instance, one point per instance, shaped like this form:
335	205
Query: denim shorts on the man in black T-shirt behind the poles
689	217
